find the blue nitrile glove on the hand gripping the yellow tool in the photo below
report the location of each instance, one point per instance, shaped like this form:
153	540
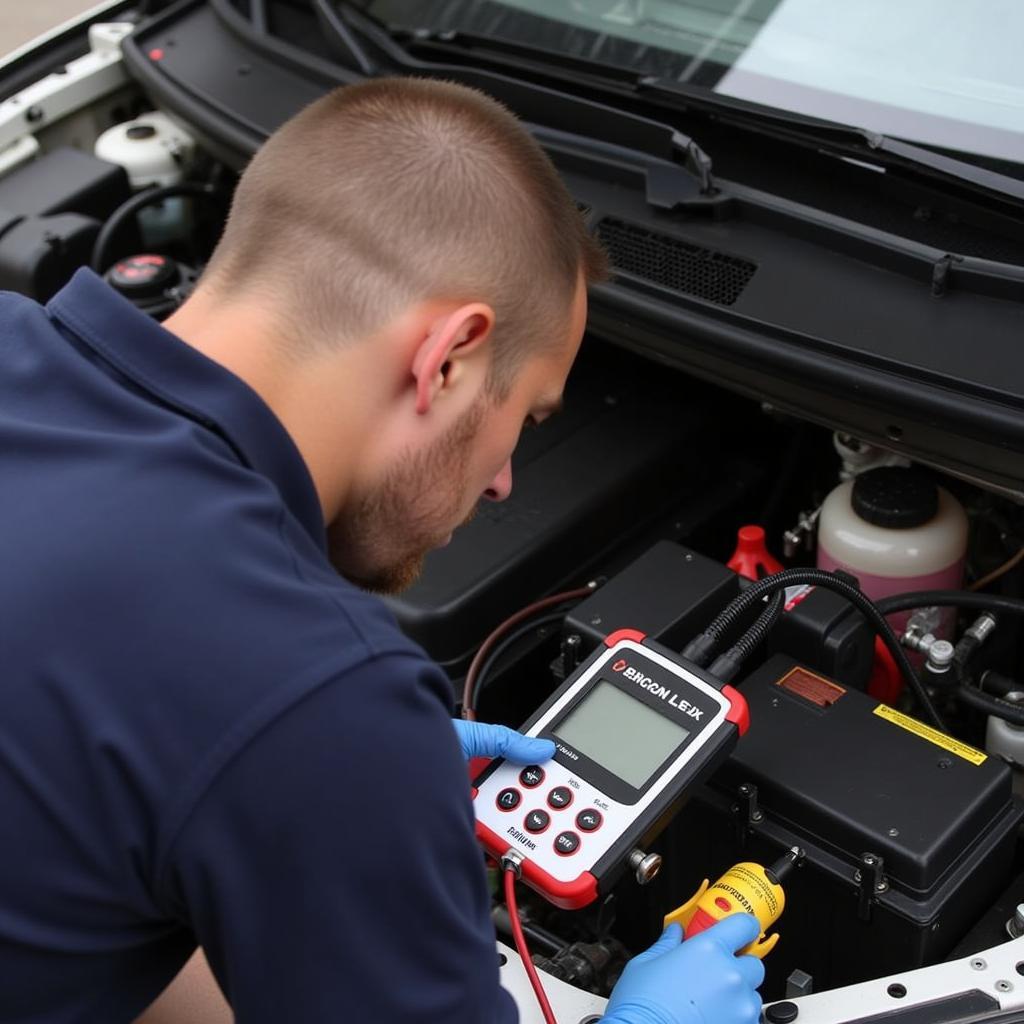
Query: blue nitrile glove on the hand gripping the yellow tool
700	982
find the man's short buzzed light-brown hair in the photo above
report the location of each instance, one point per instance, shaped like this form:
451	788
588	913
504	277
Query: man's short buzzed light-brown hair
396	191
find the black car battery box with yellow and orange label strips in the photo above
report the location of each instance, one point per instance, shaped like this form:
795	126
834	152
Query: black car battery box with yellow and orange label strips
909	834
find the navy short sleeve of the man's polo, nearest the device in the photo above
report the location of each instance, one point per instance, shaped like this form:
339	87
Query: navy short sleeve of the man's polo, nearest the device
331	871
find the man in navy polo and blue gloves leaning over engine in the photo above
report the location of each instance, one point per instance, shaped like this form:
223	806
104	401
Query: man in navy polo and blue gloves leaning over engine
209	737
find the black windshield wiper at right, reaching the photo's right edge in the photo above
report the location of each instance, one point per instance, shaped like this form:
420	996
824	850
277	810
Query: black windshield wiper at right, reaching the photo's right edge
906	155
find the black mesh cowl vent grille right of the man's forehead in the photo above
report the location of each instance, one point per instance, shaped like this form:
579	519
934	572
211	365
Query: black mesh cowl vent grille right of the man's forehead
682	267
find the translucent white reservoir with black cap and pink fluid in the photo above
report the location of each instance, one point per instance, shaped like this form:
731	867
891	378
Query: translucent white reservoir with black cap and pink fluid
895	531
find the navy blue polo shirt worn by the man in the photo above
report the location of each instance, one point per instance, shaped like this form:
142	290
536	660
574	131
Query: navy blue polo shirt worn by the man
206	736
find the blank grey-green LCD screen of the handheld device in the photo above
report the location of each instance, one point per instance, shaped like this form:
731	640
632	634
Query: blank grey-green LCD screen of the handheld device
620	733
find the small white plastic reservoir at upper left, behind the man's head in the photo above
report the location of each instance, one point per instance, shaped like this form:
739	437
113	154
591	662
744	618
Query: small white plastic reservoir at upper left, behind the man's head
153	149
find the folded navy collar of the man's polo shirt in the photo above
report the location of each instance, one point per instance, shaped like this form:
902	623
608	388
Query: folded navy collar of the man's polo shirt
181	376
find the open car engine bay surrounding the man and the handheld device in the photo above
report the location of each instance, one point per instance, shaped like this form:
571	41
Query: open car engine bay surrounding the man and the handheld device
653	502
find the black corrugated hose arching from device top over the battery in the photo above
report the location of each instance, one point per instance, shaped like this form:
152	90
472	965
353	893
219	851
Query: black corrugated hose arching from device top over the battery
700	650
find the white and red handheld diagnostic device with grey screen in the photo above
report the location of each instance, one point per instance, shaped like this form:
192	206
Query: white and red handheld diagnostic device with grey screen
634	728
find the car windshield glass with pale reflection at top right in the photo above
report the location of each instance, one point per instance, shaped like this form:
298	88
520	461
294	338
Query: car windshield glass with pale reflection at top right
946	73
